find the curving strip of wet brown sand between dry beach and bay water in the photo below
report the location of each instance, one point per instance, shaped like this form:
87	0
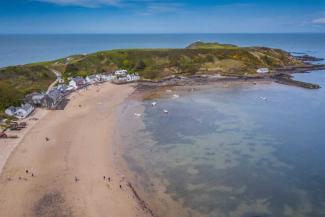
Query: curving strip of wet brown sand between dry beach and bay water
152	190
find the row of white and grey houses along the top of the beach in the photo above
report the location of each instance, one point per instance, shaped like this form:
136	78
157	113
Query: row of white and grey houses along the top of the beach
55	97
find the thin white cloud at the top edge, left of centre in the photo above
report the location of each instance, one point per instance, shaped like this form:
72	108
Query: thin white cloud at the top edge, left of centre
83	3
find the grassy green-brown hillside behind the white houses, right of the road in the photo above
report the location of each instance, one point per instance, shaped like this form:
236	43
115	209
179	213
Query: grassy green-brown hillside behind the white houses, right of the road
197	58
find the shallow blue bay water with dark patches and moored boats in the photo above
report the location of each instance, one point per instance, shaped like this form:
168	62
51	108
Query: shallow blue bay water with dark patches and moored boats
227	152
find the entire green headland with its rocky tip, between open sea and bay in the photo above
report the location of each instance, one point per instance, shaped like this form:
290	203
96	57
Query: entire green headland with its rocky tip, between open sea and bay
155	65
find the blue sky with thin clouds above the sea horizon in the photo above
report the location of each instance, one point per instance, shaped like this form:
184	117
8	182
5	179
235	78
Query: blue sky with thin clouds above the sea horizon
161	16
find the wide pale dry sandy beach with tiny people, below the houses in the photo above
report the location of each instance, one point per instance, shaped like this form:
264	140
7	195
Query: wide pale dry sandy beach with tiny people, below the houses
65	174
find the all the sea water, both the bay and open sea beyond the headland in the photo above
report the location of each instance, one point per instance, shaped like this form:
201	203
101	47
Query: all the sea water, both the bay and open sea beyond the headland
223	150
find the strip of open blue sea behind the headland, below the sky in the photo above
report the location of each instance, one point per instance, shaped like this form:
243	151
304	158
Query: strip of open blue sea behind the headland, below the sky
18	49
